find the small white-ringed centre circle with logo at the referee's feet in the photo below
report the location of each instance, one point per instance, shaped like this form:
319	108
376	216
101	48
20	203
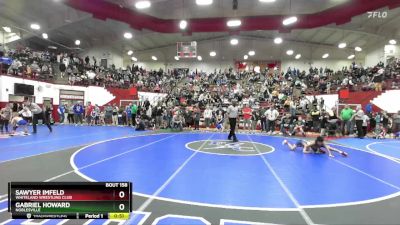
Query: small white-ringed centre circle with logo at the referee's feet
225	147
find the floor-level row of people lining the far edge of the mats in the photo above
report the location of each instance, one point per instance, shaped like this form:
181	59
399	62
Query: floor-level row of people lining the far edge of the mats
290	119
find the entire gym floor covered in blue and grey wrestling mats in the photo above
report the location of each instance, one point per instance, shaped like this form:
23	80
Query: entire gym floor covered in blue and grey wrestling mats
201	178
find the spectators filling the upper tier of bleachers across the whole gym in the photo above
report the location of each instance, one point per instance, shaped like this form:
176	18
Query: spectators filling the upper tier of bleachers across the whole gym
87	71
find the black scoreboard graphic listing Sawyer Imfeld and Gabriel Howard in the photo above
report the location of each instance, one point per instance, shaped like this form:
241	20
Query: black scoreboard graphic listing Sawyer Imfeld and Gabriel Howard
70	200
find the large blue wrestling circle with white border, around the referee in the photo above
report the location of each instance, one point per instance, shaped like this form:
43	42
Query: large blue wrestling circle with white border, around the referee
256	173
